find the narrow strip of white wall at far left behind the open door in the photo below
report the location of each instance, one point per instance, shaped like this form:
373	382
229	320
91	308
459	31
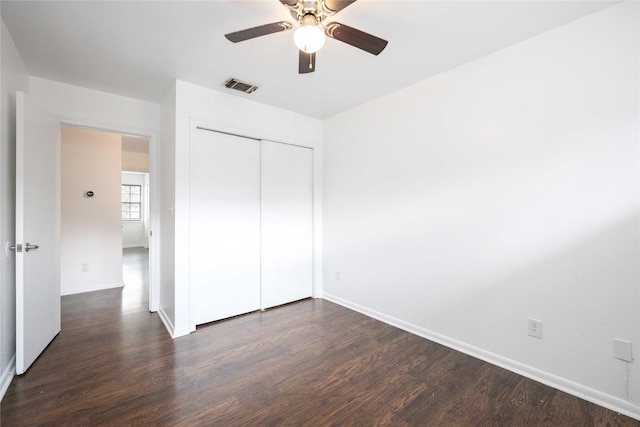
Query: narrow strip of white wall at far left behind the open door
13	76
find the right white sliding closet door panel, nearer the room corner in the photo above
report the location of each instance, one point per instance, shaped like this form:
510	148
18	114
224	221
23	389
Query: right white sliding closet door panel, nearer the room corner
287	221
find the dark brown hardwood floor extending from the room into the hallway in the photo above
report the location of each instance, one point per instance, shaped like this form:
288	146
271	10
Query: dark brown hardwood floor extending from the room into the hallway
309	363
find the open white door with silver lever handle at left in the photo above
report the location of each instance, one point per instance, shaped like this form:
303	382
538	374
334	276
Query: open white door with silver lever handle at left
37	231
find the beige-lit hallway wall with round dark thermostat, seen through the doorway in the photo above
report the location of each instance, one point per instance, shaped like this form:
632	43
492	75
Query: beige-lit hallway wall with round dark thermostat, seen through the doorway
91	227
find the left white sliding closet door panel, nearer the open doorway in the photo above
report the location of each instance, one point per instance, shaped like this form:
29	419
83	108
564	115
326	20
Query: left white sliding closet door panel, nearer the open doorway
224	231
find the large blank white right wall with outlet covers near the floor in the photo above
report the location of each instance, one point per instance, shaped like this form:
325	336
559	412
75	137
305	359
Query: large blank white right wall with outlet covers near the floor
503	189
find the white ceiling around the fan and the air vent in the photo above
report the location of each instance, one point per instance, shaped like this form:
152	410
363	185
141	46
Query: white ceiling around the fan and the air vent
138	48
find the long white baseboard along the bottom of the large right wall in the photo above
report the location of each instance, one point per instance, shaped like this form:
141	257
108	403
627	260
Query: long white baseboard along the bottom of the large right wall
594	396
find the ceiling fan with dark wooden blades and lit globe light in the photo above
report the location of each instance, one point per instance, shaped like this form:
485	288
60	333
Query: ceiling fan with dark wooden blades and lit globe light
311	30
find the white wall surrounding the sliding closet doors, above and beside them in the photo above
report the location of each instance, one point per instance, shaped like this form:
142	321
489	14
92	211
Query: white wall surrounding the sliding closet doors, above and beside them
217	110
